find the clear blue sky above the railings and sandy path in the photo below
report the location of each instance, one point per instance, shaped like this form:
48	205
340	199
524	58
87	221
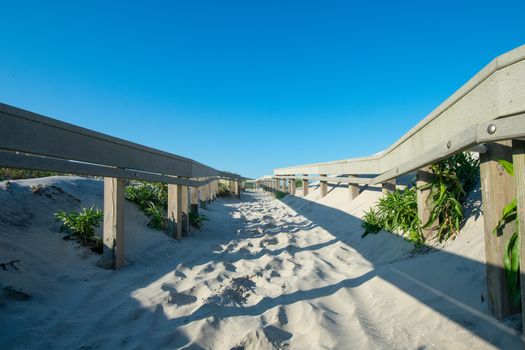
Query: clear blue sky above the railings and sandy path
244	85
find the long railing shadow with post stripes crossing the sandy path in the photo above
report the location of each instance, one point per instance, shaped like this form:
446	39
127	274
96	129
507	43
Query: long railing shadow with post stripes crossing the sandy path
465	308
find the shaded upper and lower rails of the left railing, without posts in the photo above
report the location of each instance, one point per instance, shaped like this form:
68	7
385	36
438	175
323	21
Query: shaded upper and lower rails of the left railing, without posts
32	135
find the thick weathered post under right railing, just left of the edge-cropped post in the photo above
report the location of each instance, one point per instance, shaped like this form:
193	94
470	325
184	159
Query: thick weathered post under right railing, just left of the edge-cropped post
497	189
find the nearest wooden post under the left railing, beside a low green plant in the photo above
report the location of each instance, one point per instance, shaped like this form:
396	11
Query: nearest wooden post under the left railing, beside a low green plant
113	235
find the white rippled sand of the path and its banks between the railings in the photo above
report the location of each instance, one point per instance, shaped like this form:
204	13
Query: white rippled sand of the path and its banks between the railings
262	274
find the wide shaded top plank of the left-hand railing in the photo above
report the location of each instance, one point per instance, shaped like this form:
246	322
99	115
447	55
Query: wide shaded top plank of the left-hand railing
36	134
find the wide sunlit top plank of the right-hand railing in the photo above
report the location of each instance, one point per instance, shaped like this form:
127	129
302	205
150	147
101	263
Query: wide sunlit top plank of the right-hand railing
495	91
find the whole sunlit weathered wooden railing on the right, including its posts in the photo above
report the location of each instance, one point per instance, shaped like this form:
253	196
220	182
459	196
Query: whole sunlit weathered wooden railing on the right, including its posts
486	115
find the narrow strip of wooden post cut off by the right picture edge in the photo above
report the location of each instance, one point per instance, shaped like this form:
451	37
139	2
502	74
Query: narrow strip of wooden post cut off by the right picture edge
518	159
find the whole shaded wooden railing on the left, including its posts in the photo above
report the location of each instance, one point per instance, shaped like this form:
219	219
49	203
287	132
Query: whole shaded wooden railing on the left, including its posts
32	141
